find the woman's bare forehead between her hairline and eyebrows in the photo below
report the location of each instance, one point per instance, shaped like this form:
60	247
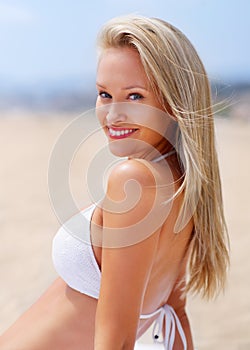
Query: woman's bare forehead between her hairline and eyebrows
120	63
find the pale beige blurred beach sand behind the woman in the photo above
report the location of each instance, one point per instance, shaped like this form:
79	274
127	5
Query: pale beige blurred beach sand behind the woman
28	224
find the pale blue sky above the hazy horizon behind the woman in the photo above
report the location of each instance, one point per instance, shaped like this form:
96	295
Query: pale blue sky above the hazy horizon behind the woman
44	41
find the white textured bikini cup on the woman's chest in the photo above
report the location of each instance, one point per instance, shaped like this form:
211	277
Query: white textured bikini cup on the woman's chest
73	255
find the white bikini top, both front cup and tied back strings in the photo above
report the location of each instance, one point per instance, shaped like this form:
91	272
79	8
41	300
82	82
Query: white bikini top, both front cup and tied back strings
75	262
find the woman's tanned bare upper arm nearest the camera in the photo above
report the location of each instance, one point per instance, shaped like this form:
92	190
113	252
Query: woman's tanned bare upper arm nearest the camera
130	235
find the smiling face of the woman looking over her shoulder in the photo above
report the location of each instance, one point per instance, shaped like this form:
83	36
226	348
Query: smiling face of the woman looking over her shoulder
128	110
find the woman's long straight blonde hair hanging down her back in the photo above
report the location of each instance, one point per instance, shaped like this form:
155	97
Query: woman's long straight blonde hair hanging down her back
178	77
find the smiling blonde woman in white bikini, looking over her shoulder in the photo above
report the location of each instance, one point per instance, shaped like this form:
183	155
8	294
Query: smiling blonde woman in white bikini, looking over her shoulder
160	232
